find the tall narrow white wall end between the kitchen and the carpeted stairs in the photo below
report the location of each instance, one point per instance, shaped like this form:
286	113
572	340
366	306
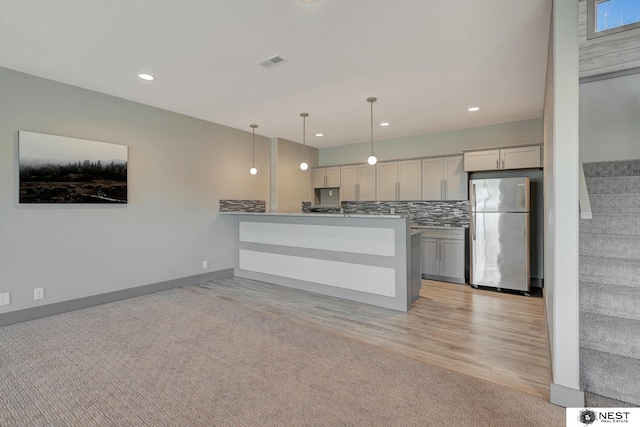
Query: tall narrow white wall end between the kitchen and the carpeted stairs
562	207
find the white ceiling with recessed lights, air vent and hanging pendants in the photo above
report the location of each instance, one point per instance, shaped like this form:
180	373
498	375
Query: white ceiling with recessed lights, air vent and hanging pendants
426	61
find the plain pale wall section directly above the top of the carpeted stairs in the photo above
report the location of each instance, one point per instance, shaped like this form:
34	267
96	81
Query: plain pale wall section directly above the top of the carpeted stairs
609	124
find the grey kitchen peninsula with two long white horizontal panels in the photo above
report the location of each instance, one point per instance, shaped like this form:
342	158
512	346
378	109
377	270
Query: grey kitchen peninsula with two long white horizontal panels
374	259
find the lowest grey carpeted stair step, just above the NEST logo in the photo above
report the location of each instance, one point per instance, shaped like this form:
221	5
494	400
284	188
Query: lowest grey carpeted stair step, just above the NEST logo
610	375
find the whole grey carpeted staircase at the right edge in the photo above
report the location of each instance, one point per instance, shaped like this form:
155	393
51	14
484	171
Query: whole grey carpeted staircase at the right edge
610	282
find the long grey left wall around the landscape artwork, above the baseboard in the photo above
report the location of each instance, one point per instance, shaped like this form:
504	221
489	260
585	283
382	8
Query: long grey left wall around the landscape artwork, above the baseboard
179	167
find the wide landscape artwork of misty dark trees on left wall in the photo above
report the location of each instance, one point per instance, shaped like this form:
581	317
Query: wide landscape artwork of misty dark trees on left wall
57	169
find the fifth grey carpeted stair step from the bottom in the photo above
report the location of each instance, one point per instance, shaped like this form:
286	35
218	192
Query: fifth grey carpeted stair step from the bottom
610	245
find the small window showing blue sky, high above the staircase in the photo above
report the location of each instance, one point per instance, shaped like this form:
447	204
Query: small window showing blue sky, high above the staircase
611	16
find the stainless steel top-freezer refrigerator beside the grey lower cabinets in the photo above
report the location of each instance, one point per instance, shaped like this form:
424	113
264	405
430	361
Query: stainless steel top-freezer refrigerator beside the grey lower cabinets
499	227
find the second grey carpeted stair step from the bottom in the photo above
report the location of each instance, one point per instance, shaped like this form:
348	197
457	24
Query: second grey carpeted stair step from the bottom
610	334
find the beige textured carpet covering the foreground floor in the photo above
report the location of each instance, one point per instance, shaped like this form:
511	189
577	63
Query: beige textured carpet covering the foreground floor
186	357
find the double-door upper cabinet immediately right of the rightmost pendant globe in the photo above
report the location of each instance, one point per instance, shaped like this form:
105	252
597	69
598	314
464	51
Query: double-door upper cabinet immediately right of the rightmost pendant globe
399	180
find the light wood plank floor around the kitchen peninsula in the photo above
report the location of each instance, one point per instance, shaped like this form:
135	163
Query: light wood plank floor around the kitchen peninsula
494	336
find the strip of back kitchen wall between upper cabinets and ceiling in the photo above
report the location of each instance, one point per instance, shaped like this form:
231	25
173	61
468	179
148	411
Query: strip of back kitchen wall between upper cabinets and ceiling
437	144
